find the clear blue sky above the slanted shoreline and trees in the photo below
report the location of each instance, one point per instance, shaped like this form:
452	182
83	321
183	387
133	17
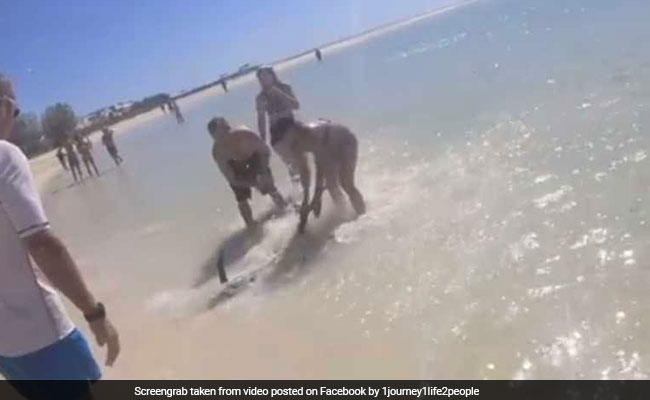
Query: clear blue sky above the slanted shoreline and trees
93	53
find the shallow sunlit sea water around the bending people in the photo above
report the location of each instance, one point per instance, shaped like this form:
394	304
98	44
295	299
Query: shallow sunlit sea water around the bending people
503	157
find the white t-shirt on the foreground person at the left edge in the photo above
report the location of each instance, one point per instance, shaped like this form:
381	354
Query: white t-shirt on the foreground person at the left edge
31	314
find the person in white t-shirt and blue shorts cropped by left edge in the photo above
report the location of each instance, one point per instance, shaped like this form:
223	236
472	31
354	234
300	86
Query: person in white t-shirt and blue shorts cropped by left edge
37	339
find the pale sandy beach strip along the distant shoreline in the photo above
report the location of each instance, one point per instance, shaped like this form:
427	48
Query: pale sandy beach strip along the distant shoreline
46	167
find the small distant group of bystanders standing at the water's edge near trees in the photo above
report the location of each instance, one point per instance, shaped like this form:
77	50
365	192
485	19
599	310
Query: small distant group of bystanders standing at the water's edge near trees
71	149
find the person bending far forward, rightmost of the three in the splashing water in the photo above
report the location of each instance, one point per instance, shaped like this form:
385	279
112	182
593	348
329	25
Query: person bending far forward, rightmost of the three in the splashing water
335	151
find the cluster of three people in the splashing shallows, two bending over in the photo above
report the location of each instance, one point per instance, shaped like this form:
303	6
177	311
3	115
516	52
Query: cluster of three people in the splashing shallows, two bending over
244	157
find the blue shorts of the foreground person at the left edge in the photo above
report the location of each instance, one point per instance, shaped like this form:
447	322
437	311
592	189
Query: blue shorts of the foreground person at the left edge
68	359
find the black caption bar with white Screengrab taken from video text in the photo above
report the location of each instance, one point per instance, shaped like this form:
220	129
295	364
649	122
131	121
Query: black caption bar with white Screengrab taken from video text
333	390
